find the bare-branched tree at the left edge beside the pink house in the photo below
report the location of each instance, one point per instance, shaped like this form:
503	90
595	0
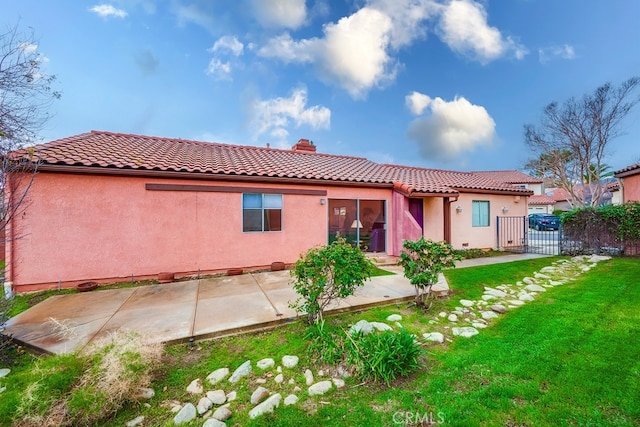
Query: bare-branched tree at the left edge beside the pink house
26	92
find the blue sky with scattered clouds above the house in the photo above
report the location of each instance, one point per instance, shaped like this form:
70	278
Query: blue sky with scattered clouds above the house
432	83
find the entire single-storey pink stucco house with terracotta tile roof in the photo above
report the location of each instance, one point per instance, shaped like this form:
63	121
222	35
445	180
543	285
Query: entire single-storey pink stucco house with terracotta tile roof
109	207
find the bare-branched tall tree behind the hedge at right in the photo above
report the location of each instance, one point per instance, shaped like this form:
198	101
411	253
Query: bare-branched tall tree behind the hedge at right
571	141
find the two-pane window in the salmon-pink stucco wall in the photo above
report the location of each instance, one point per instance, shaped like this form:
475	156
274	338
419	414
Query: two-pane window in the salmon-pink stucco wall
261	212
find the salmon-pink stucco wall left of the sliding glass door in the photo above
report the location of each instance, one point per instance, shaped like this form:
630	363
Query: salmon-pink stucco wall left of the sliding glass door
80	227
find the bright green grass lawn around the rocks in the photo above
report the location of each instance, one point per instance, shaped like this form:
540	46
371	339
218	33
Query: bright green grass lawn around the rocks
571	357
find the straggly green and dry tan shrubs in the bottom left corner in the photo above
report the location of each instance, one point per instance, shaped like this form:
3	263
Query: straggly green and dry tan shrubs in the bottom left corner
72	390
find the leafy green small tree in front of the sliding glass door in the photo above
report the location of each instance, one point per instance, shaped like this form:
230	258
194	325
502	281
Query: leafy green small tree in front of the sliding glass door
324	274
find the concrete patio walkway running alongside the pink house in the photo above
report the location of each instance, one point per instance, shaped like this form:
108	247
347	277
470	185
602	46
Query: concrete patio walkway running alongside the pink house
198	309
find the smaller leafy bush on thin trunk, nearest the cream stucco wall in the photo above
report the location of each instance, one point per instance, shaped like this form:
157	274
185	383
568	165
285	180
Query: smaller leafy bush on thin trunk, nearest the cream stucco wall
423	261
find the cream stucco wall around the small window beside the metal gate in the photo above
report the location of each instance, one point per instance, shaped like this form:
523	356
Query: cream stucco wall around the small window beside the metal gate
464	235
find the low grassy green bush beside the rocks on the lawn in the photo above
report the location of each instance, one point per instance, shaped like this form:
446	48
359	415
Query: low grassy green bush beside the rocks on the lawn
385	355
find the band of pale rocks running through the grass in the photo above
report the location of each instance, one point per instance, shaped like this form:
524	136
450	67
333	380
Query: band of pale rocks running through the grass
270	381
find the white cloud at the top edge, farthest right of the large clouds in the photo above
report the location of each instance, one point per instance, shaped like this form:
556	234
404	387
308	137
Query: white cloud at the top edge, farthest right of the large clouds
463	27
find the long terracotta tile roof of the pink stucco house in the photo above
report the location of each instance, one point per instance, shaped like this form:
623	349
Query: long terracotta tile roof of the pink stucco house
125	152
